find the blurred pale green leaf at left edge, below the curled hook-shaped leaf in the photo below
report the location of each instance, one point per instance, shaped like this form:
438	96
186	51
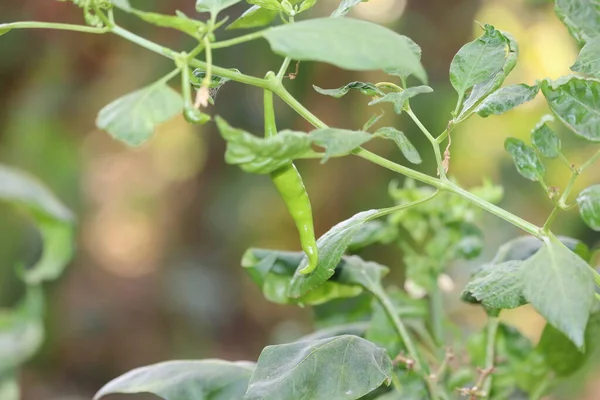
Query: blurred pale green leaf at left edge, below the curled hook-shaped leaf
21	330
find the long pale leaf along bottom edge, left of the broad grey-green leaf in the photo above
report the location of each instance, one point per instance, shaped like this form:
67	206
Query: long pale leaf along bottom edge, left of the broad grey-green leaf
185	380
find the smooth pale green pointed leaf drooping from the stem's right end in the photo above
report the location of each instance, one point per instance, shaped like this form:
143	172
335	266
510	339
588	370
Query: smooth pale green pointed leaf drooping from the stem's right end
560	285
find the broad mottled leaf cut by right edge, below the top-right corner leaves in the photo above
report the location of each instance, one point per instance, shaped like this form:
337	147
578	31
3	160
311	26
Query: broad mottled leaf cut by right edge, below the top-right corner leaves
574	101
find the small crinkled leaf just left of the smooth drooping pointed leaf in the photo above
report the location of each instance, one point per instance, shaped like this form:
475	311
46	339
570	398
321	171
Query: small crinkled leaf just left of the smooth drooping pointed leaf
496	286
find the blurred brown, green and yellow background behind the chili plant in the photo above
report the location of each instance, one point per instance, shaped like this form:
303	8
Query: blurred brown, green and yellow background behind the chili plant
161	229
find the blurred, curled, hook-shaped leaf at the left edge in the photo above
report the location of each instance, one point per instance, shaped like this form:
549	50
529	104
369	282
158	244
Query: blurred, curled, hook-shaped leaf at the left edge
53	219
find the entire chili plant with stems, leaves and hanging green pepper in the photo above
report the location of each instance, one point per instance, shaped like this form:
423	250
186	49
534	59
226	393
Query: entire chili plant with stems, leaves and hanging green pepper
375	339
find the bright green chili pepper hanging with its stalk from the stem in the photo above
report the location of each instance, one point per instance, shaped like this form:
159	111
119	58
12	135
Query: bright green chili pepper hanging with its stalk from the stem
289	184
